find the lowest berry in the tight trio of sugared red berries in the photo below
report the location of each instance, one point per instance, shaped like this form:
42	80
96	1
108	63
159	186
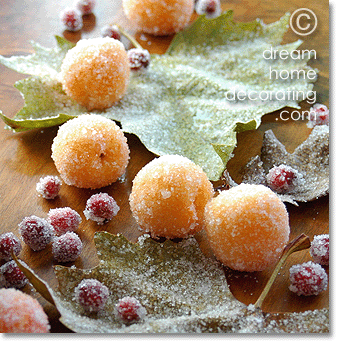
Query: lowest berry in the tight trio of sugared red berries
67	247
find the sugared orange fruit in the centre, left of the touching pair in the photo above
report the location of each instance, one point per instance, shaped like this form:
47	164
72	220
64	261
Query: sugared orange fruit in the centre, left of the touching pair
169	195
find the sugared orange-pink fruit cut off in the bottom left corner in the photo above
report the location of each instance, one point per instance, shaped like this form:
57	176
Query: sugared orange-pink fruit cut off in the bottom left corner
21	313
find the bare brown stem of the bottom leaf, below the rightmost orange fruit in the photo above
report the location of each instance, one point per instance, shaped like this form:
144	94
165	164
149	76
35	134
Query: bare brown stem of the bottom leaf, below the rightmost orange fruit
300	243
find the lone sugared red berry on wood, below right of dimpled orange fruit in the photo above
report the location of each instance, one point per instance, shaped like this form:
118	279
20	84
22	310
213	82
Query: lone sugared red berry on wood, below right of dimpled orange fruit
101	208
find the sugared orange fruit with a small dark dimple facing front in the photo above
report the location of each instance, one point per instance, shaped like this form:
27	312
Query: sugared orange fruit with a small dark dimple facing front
90	151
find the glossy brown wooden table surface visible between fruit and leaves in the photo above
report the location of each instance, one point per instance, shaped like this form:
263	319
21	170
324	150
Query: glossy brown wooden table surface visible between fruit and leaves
25	157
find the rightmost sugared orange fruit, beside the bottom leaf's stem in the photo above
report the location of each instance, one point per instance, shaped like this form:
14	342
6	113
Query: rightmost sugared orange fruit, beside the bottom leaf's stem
247	227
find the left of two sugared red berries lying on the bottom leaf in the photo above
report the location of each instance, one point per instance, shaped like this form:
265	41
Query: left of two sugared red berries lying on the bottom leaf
91	294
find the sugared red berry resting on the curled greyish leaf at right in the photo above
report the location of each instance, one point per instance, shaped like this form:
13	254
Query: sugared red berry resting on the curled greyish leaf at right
283	178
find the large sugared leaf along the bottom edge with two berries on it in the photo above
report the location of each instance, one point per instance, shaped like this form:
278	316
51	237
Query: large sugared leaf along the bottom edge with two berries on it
182	290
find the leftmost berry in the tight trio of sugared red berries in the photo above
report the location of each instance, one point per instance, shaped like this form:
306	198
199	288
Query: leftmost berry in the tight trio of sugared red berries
36	232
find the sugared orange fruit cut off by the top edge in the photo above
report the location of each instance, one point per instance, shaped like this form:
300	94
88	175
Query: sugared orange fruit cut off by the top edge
159	17
